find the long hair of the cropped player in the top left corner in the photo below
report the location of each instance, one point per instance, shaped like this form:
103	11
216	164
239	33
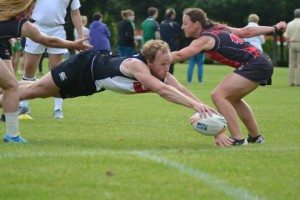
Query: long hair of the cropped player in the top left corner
12	8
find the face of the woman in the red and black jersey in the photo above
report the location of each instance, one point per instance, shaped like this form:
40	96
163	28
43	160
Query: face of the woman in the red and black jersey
190	28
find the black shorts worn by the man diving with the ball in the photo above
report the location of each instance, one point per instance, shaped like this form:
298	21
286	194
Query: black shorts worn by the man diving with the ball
74	76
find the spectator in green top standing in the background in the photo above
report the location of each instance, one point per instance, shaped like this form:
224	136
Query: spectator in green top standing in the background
150	26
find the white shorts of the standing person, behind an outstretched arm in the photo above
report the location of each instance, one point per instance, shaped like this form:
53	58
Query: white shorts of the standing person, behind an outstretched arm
36	48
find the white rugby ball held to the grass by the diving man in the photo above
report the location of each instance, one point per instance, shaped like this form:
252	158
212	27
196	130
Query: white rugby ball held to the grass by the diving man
211	125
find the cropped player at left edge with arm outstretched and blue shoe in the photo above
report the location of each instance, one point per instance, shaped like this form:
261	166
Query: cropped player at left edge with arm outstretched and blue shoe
13	24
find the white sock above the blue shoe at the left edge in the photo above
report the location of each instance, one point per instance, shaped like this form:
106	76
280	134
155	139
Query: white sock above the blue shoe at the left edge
12	124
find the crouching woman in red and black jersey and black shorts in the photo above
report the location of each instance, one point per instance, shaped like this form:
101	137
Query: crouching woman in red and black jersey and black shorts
252	68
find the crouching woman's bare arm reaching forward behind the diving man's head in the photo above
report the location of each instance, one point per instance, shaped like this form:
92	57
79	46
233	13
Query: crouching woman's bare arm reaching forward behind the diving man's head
203	43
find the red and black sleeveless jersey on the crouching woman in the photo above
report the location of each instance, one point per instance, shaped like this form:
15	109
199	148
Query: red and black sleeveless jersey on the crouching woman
229	49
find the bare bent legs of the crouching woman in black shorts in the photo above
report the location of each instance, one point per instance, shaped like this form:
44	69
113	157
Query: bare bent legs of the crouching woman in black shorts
227	97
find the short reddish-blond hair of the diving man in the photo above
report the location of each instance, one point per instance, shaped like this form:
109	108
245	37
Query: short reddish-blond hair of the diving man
151	47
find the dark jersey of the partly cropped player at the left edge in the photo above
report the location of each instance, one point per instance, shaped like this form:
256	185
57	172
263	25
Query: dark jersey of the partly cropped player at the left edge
12	28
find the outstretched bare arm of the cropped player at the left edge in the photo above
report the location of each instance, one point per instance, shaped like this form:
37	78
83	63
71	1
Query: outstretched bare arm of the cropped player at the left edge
31	31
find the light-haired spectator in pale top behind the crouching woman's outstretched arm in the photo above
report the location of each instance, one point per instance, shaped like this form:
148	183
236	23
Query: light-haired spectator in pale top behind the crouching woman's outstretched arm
256	41
